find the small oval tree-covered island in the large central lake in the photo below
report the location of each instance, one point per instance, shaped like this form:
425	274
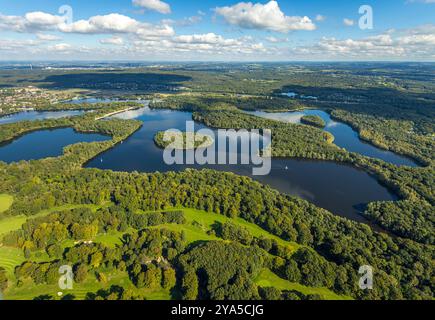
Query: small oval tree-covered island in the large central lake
201	141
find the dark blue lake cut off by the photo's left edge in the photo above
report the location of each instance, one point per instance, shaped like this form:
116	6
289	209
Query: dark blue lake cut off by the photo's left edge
43	144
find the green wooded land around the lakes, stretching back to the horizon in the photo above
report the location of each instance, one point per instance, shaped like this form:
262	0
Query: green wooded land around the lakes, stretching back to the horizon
159	235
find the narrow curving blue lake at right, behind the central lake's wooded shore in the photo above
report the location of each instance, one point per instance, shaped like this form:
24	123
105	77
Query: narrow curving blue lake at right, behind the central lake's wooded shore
345	136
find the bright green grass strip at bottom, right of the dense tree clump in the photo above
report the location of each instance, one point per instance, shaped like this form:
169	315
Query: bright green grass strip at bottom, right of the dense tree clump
268	279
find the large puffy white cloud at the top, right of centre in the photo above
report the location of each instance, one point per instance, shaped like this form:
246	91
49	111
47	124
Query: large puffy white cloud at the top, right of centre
263	16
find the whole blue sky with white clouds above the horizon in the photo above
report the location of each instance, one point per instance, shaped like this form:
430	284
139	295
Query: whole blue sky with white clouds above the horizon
216	30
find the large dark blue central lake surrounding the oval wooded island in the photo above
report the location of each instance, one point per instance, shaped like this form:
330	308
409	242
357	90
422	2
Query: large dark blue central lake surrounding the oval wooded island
338	188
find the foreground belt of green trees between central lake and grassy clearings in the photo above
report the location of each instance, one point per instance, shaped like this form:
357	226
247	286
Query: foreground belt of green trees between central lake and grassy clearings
339	244
